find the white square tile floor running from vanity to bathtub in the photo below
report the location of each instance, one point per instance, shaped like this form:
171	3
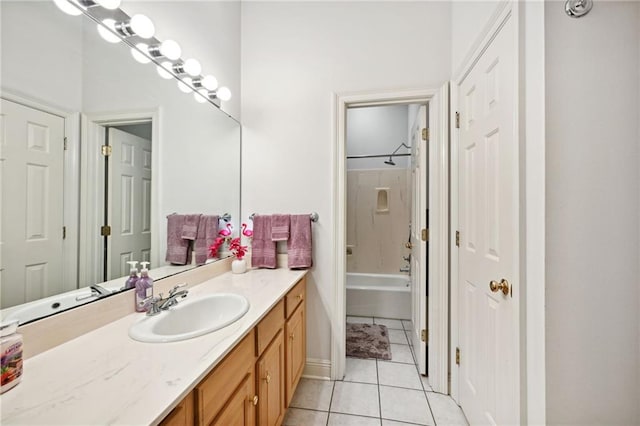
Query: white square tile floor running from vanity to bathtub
374	392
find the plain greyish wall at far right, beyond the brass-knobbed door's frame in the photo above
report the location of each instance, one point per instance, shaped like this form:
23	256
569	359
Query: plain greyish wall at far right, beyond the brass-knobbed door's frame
592	244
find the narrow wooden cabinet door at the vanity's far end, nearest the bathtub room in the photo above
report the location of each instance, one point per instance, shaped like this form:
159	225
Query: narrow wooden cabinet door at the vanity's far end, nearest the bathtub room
296	350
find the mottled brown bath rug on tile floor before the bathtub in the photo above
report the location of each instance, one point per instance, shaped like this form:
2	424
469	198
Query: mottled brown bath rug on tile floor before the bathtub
368	341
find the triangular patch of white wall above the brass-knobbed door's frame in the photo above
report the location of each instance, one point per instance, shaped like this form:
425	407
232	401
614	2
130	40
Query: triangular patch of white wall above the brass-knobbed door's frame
469	19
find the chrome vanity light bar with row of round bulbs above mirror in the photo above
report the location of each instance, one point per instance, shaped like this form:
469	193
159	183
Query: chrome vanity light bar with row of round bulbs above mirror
138	31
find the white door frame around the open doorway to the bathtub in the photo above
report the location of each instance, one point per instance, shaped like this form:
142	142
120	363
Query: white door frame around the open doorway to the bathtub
439	284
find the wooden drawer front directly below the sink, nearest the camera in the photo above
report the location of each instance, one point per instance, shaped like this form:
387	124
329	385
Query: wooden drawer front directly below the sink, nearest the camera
215	389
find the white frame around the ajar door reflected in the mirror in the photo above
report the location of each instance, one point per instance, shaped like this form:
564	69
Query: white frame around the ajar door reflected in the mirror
92	194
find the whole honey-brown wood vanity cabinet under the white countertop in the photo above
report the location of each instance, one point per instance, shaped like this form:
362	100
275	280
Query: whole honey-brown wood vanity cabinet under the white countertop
254	383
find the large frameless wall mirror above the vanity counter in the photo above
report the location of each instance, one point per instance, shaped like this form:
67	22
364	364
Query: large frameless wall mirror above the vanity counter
96	151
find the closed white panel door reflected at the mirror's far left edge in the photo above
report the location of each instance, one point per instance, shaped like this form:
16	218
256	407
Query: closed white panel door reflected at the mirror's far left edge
31	163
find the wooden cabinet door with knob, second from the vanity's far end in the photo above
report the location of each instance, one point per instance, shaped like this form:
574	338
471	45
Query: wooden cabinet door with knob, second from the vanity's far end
270	383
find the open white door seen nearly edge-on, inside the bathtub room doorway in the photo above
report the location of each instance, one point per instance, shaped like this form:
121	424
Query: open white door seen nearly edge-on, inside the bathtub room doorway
420	182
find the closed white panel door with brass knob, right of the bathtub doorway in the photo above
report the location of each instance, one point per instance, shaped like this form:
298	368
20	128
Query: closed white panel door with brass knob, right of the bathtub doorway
489	246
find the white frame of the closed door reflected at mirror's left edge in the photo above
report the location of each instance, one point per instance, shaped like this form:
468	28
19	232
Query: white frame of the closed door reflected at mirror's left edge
71	165
